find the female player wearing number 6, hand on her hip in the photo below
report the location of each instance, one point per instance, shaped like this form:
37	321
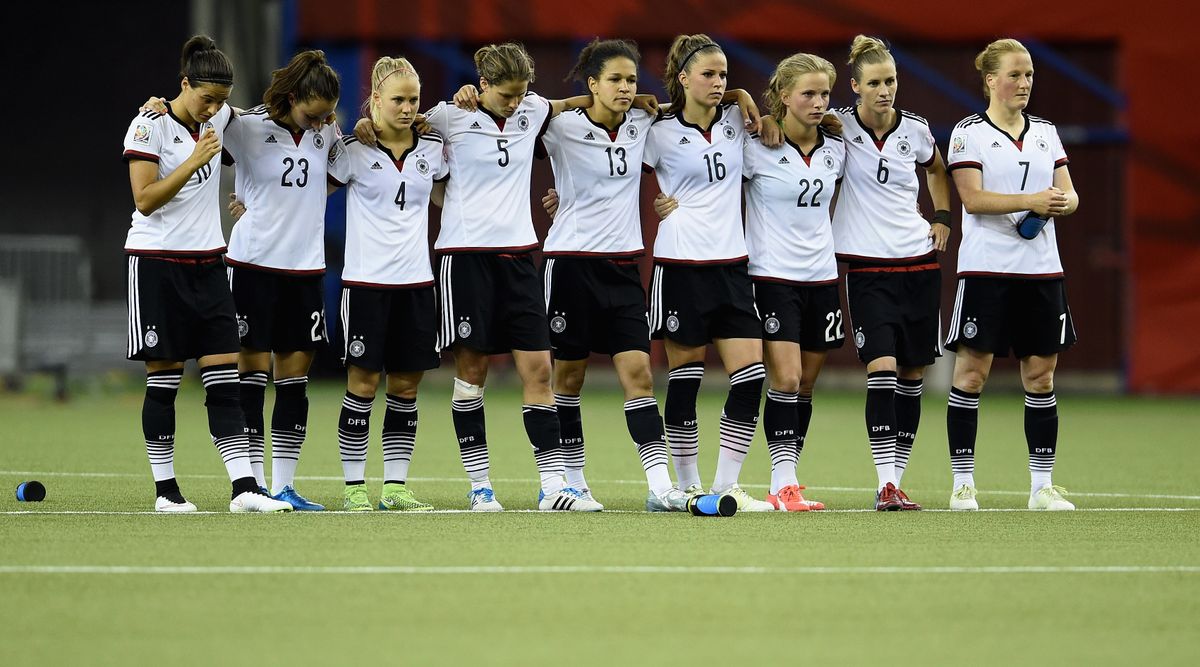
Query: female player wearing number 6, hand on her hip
893	280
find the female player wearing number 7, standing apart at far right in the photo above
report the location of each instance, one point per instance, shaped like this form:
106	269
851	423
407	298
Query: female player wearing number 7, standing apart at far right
1011	171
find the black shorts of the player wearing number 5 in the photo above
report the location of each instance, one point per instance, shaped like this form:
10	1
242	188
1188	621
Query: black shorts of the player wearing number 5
491	303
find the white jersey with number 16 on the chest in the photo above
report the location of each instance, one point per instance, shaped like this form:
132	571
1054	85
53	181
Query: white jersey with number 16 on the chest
703	171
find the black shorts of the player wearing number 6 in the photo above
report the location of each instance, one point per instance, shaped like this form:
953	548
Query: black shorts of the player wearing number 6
896	314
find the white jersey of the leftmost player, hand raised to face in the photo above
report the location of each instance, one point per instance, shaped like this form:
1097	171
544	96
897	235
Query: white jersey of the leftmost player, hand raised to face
189	225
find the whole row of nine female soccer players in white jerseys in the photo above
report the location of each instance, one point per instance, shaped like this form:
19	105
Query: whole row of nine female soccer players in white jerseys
761	291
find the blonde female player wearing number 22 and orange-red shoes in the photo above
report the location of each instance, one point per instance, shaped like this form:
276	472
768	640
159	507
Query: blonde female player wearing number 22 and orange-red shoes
789	202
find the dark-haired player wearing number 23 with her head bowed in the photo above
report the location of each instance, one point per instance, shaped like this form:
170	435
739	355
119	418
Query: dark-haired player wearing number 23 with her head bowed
283	151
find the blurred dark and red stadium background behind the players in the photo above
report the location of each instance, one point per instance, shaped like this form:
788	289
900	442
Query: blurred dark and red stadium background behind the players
1109	77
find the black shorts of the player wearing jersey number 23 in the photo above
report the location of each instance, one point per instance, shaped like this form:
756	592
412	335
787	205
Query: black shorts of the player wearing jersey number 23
278	313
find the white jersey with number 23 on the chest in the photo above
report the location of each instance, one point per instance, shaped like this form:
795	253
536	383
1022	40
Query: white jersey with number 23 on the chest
281	179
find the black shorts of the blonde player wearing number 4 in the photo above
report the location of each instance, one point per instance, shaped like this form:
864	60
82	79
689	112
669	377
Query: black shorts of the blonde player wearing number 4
393	331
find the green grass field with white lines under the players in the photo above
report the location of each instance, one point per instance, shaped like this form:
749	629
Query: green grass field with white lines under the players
88	579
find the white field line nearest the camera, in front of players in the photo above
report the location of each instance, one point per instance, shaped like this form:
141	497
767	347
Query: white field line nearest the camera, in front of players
595	570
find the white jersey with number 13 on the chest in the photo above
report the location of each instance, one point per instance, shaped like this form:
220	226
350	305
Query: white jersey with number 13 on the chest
598	176
